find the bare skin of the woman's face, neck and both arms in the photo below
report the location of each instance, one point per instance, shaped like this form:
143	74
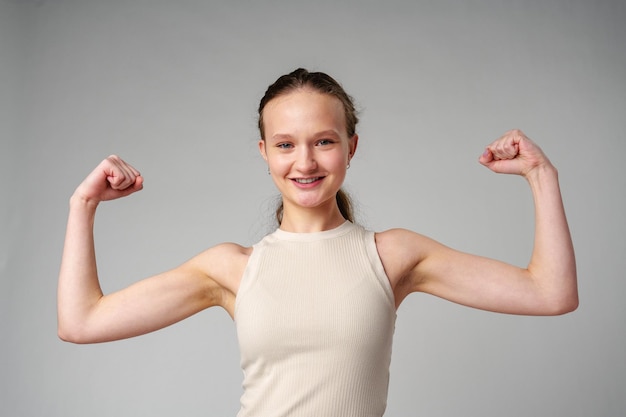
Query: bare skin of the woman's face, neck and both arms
306	140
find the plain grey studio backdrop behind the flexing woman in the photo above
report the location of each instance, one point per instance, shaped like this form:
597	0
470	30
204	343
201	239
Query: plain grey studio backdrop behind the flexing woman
173	88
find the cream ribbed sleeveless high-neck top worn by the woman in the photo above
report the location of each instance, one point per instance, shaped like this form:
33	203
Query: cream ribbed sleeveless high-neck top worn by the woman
315	317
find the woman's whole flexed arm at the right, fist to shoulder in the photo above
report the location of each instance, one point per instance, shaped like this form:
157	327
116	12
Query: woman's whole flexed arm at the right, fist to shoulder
547	286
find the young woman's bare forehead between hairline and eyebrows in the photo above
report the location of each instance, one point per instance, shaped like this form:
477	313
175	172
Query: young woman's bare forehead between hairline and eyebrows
302	109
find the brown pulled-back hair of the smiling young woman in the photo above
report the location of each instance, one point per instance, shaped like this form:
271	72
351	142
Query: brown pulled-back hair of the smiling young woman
325	84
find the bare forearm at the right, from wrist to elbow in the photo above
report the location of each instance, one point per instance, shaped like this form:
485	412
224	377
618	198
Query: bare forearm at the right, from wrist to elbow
552	264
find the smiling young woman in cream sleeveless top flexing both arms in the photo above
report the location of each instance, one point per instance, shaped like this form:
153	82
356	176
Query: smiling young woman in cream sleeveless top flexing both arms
315	302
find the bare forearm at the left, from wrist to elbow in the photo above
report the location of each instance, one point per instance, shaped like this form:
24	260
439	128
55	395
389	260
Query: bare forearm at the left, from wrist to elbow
78	288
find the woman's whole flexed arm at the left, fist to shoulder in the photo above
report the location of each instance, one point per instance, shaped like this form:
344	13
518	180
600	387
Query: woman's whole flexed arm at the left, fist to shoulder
85	314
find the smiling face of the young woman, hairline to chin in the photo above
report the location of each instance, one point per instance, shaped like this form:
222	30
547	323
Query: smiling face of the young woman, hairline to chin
306	147
